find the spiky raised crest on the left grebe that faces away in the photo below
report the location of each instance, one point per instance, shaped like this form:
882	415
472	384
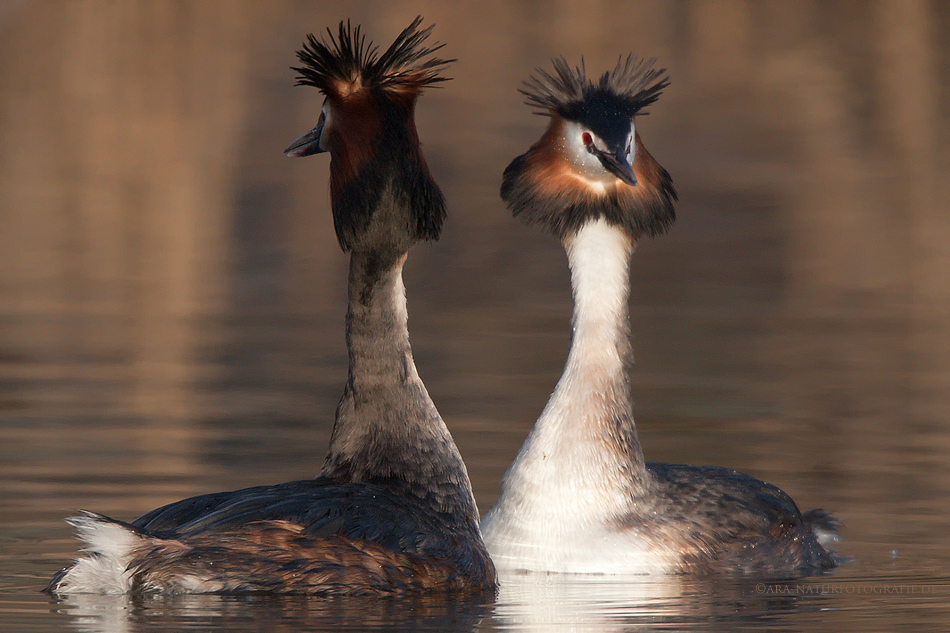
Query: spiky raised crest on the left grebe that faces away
346	64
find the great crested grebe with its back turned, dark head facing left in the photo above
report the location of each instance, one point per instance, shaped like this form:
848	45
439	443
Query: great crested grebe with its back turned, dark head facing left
392	510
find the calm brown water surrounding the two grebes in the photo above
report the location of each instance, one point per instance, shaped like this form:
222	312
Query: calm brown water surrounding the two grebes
172	295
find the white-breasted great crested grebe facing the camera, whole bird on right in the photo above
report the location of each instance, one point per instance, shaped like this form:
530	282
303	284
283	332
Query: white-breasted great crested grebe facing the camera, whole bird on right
579	497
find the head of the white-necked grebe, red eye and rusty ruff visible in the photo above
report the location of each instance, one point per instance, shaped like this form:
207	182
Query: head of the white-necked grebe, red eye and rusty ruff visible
590	163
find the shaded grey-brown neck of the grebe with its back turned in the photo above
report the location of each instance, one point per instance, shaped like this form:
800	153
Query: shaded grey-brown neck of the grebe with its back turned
387	426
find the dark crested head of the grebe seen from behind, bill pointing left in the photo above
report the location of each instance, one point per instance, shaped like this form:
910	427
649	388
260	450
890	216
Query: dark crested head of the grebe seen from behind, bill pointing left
381	190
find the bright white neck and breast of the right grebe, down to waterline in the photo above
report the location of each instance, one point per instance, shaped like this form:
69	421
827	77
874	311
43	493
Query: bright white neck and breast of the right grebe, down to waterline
581	466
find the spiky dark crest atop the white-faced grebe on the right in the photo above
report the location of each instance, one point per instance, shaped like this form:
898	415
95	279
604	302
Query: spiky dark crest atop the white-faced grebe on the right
630	87
